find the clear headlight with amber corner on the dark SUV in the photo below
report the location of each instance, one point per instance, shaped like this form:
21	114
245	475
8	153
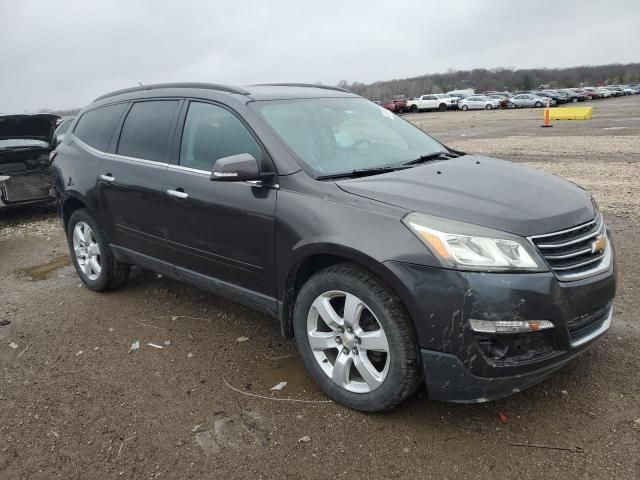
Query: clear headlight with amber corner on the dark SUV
471	247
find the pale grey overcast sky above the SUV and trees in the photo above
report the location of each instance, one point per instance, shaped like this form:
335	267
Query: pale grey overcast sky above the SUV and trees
64	53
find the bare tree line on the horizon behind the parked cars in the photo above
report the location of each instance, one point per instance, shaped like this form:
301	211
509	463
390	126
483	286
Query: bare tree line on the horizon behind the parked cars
500	78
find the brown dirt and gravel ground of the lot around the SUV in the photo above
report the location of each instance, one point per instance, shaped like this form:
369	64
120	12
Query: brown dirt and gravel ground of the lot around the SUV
76	403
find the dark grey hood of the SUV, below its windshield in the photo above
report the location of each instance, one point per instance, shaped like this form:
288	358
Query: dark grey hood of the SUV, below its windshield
483	191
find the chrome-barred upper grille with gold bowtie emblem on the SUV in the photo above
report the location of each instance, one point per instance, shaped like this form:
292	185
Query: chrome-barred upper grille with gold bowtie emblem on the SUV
575	251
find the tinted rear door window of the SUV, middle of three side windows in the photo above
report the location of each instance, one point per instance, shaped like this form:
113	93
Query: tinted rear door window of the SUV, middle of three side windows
145	133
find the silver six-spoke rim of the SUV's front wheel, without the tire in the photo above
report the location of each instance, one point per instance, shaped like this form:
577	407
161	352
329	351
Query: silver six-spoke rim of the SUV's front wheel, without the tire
348	341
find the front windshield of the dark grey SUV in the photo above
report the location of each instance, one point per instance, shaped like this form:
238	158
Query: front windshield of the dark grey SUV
332	136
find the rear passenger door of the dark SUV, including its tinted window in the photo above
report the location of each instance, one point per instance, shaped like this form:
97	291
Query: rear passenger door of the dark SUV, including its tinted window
130	180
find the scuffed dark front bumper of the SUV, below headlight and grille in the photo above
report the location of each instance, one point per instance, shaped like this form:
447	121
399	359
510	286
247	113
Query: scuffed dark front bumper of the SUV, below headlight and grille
464	366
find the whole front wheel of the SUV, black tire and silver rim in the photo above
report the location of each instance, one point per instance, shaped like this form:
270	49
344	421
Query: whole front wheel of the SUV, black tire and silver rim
356	339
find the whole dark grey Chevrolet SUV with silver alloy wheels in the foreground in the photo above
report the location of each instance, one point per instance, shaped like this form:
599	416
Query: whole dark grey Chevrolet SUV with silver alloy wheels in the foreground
476	276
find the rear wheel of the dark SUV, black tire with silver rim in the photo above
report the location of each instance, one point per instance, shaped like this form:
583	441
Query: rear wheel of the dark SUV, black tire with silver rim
91	255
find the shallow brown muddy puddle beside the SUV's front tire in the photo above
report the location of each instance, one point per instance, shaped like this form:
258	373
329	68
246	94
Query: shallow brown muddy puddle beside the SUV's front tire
288	369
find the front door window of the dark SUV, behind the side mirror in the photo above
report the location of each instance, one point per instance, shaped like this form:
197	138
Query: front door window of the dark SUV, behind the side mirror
212	132
